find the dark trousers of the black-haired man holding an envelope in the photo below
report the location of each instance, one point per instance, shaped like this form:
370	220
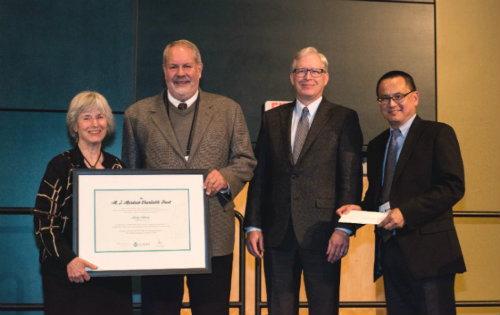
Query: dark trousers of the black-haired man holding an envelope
407	295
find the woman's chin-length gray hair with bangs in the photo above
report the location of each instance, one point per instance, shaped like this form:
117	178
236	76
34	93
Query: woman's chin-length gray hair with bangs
86	101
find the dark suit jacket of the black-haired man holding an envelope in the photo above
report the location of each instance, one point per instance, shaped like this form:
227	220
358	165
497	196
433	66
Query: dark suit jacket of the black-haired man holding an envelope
428	181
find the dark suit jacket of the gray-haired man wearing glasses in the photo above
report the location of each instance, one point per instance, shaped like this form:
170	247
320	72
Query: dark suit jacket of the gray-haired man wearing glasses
327	174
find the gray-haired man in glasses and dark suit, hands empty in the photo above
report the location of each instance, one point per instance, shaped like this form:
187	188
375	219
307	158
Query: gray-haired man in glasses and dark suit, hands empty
309	164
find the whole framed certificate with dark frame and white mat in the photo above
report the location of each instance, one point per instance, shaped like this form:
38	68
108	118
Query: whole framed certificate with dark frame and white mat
141	222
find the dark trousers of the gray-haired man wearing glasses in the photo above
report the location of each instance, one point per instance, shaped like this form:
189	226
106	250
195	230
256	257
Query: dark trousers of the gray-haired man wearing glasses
283	266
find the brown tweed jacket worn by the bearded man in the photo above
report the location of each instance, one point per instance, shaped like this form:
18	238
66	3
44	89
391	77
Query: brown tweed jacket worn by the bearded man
220	141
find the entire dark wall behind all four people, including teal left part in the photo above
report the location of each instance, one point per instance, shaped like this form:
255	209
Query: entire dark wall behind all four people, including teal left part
51	50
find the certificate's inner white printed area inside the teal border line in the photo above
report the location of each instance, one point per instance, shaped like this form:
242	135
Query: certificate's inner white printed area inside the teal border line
147	220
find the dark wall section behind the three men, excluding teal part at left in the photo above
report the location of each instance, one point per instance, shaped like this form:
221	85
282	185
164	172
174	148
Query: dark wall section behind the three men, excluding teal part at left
247	47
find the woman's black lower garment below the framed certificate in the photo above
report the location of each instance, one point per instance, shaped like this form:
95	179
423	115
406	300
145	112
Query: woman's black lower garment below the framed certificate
100	295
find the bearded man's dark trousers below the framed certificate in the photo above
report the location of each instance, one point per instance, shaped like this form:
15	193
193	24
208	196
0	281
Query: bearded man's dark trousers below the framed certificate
208	293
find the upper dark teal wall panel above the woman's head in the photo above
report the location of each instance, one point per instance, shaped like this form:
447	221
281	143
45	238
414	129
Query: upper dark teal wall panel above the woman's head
51	50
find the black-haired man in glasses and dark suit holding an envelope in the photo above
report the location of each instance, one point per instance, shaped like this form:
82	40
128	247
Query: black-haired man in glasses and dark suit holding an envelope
415	172
